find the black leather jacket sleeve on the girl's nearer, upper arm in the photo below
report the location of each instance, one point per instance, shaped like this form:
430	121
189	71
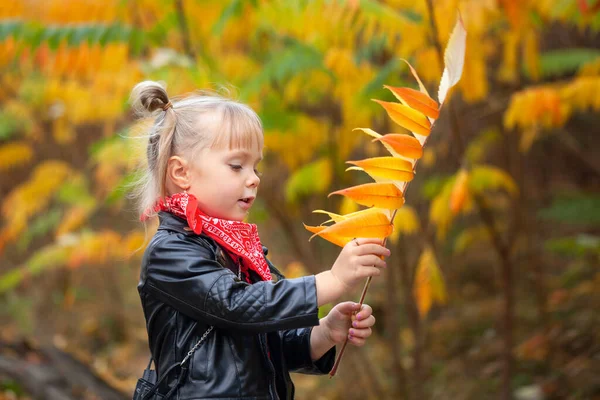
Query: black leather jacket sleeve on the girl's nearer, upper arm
184	274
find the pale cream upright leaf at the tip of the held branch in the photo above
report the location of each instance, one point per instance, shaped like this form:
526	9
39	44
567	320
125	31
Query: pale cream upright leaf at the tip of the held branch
454	59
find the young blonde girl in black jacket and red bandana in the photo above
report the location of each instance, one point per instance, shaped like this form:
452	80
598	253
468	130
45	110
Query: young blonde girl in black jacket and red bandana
205	281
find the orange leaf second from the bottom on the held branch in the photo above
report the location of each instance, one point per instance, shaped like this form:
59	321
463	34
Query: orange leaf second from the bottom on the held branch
383	195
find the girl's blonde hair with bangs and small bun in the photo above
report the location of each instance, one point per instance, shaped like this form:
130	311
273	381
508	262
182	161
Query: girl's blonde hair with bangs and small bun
184	127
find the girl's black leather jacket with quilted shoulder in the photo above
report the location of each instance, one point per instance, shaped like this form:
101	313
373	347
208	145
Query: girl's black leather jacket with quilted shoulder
261	330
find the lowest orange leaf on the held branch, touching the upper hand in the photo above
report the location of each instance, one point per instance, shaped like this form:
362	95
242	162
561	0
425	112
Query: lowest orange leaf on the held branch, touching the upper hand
372	224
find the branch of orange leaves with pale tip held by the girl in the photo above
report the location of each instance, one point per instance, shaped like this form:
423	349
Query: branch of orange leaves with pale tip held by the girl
417	112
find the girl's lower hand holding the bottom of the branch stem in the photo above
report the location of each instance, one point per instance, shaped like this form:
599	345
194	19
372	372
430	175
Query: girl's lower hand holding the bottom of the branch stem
341	323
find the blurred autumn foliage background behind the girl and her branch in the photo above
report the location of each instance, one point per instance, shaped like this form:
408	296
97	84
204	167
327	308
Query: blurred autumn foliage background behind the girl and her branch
493	288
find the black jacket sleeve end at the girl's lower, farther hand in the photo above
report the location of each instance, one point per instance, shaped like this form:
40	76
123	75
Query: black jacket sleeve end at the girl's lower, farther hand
296	352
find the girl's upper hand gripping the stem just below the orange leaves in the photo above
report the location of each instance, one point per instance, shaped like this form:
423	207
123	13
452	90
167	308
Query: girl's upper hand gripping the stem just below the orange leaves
359	259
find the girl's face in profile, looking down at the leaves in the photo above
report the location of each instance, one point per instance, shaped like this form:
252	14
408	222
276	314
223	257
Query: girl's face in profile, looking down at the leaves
225	181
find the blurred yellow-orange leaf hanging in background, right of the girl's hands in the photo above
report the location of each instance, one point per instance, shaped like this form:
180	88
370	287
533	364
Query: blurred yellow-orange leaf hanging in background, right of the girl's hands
429	283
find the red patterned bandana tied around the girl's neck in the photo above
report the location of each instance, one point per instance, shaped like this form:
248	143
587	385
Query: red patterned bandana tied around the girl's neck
238	239
